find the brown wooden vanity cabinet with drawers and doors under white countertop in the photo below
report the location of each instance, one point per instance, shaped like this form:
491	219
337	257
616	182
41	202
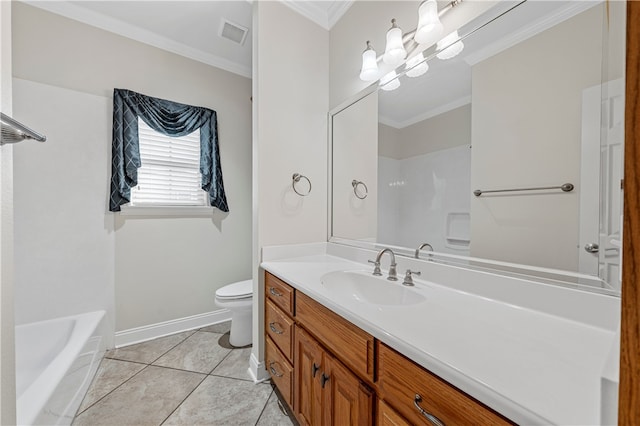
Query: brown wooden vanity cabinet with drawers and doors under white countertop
331	372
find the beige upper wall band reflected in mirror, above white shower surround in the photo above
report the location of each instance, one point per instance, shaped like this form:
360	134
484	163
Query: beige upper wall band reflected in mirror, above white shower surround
444	131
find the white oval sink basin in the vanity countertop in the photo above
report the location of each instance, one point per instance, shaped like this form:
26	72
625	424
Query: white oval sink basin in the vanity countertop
364	287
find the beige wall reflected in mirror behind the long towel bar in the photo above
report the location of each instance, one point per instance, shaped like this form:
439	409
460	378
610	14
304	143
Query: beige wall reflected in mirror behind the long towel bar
534	143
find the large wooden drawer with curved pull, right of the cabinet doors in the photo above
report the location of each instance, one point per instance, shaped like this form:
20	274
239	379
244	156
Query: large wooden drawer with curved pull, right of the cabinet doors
400	381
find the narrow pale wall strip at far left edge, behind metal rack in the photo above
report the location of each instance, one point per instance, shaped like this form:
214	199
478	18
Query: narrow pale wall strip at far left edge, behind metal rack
7	340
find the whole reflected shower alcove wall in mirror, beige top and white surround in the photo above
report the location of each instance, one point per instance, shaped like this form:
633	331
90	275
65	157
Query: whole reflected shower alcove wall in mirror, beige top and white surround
424	181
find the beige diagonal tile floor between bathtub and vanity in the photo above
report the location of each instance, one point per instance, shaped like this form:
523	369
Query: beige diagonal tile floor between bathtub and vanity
190	378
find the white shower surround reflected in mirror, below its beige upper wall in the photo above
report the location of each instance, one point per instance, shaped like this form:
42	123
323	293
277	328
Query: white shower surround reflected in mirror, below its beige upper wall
426	198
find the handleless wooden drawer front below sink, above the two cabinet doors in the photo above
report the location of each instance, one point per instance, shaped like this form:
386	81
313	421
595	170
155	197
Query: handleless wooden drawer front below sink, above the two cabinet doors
350	344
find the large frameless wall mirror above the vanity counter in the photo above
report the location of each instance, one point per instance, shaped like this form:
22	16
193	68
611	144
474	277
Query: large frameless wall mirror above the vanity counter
534	100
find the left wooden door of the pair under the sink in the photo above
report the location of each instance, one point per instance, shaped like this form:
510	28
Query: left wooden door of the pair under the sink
308	370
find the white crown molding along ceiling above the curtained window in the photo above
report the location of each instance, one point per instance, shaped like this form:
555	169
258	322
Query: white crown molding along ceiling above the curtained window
124	29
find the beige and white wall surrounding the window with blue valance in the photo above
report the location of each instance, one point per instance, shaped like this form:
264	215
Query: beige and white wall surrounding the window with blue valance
73	255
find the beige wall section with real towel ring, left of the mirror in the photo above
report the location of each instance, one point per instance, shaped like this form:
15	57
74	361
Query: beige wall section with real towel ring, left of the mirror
290	93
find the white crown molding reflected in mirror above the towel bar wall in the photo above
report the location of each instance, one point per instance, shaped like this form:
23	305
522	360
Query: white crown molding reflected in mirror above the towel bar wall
528	31
